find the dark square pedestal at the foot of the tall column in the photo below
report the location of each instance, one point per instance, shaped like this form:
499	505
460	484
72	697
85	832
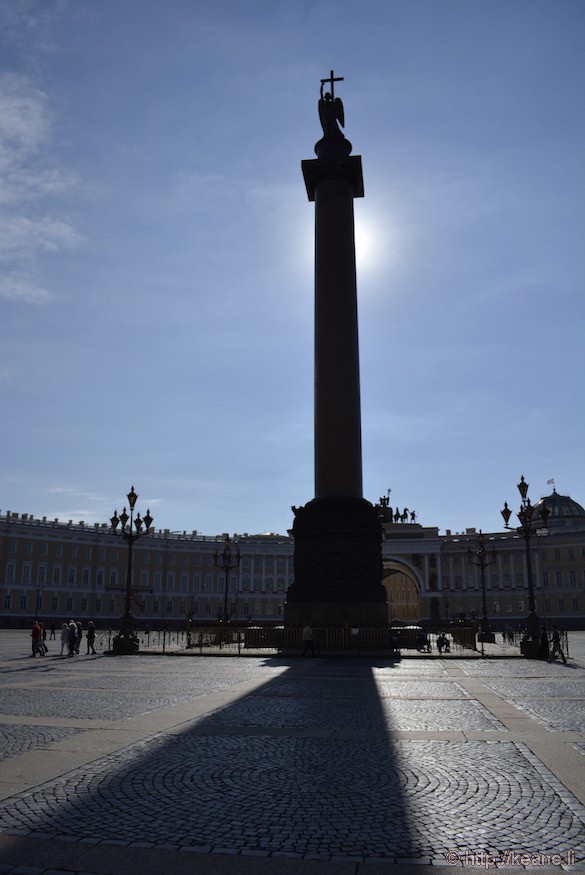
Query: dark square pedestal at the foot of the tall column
338	566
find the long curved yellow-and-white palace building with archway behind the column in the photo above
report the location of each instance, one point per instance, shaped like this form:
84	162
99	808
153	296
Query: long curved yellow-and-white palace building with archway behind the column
58	570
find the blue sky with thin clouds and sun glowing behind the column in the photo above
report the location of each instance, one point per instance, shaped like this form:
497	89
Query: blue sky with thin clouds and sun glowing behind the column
156	247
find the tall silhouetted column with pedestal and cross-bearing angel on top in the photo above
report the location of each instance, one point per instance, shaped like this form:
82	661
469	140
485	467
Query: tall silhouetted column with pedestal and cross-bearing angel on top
337	535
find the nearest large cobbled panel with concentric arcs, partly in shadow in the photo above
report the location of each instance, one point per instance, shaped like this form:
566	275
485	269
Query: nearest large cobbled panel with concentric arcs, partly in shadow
318	796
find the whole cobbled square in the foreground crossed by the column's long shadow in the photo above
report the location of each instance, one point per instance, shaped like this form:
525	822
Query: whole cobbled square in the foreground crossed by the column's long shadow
109	763
